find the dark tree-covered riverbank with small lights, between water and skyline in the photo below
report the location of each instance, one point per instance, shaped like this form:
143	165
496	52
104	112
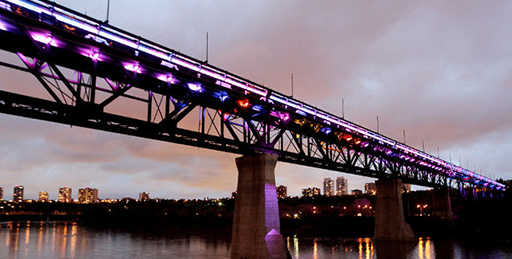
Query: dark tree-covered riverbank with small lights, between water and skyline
347	216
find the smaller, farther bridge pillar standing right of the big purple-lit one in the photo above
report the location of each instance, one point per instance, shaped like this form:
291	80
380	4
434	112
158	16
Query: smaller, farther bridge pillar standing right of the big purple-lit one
390	224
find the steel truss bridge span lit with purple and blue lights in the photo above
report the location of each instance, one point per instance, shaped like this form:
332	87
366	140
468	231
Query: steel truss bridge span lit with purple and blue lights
101	77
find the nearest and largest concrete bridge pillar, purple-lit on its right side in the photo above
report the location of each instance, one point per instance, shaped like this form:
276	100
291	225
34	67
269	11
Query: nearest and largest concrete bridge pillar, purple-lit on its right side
256	226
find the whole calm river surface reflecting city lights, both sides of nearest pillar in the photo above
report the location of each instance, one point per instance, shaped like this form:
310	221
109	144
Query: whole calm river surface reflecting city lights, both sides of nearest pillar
70	240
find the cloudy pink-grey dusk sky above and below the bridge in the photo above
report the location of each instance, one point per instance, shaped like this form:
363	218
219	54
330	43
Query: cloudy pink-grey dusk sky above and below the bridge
440	70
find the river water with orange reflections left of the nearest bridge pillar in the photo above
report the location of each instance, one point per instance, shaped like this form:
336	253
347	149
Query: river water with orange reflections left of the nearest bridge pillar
41	240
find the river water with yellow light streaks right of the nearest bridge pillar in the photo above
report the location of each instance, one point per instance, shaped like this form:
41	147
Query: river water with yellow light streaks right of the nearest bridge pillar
366	248
